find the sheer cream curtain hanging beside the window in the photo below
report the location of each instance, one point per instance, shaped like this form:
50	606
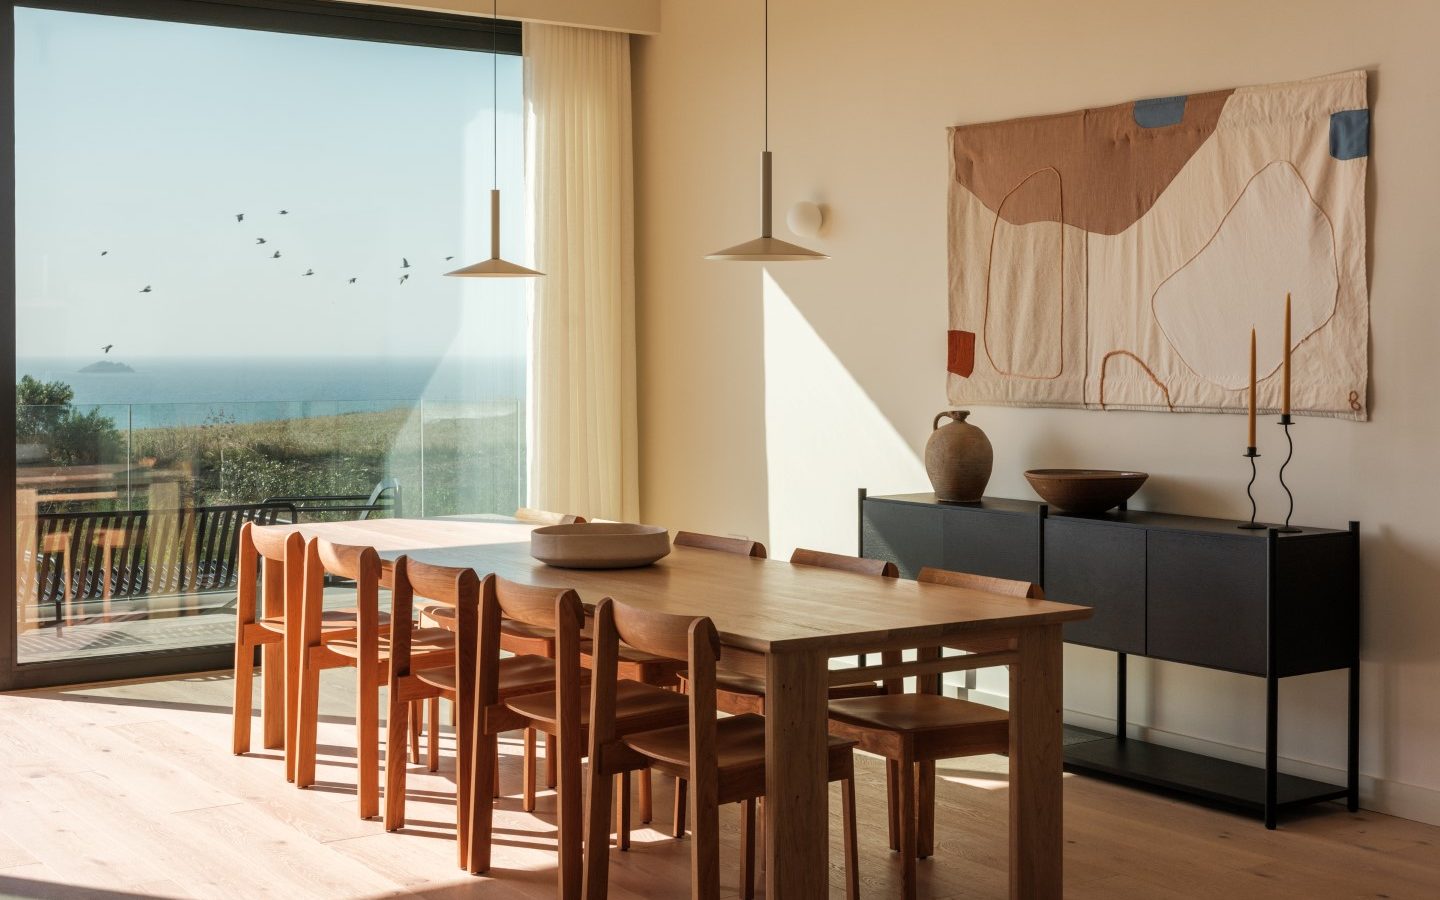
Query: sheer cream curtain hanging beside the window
581	202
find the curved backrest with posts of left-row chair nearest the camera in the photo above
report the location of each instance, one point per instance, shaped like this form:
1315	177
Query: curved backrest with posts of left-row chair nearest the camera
662	634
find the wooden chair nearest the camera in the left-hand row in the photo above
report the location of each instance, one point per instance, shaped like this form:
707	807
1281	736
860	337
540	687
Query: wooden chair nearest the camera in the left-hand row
724	760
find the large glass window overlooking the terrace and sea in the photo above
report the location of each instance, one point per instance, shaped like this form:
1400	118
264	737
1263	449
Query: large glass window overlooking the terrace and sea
231	307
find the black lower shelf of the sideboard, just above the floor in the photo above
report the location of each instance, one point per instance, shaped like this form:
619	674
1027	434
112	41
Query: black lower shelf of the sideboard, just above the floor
1192	775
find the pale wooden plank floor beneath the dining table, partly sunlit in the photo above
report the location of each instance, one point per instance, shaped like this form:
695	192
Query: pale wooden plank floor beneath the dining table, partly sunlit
129	790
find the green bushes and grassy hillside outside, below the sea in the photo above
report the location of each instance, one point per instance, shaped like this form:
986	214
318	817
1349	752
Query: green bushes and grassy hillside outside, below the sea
470	463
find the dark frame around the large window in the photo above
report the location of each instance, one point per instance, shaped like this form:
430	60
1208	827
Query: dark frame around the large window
307	18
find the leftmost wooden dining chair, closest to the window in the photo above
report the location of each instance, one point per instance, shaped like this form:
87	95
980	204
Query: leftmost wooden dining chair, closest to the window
277	559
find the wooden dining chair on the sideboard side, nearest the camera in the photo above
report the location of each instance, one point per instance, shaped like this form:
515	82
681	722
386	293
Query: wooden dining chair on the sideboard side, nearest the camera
915	731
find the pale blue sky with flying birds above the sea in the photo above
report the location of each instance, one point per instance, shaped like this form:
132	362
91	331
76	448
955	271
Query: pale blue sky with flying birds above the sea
145	140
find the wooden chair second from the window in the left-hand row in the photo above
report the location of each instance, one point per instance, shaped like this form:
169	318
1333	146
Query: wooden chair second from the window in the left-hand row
368	652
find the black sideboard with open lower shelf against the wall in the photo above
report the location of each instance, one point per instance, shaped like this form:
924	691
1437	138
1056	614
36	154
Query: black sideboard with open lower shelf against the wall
1177	588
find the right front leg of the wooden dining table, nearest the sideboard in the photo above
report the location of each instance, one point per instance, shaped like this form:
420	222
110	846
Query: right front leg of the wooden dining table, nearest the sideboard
1036	758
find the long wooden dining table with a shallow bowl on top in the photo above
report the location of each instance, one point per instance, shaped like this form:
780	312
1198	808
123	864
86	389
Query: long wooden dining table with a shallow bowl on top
786	624
